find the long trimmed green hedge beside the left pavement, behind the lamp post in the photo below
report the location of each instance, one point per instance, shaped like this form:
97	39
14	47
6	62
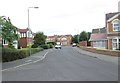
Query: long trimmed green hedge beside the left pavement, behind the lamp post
15	54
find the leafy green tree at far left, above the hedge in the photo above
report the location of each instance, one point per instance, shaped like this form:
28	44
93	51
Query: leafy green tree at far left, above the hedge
9	31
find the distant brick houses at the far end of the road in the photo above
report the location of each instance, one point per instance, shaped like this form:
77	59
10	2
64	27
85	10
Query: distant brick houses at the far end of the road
63	39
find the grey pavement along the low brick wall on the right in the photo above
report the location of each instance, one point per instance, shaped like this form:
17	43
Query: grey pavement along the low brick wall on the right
100	56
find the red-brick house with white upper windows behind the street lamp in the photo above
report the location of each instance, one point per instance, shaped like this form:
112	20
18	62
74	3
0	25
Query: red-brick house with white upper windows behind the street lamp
26	37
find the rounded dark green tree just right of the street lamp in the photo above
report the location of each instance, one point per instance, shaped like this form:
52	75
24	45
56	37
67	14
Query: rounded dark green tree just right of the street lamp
39	39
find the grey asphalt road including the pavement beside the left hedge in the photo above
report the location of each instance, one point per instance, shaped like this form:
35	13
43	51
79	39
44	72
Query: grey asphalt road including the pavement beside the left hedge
67	64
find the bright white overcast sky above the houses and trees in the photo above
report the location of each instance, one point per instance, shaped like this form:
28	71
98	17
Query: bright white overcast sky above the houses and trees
58	17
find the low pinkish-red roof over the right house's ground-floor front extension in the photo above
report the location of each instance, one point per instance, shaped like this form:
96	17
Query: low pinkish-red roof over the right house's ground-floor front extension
98	36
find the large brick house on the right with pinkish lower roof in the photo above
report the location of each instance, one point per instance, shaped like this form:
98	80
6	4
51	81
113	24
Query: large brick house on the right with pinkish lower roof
109	36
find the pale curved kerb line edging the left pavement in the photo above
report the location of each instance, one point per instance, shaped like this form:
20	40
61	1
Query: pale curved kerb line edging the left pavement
26	63
